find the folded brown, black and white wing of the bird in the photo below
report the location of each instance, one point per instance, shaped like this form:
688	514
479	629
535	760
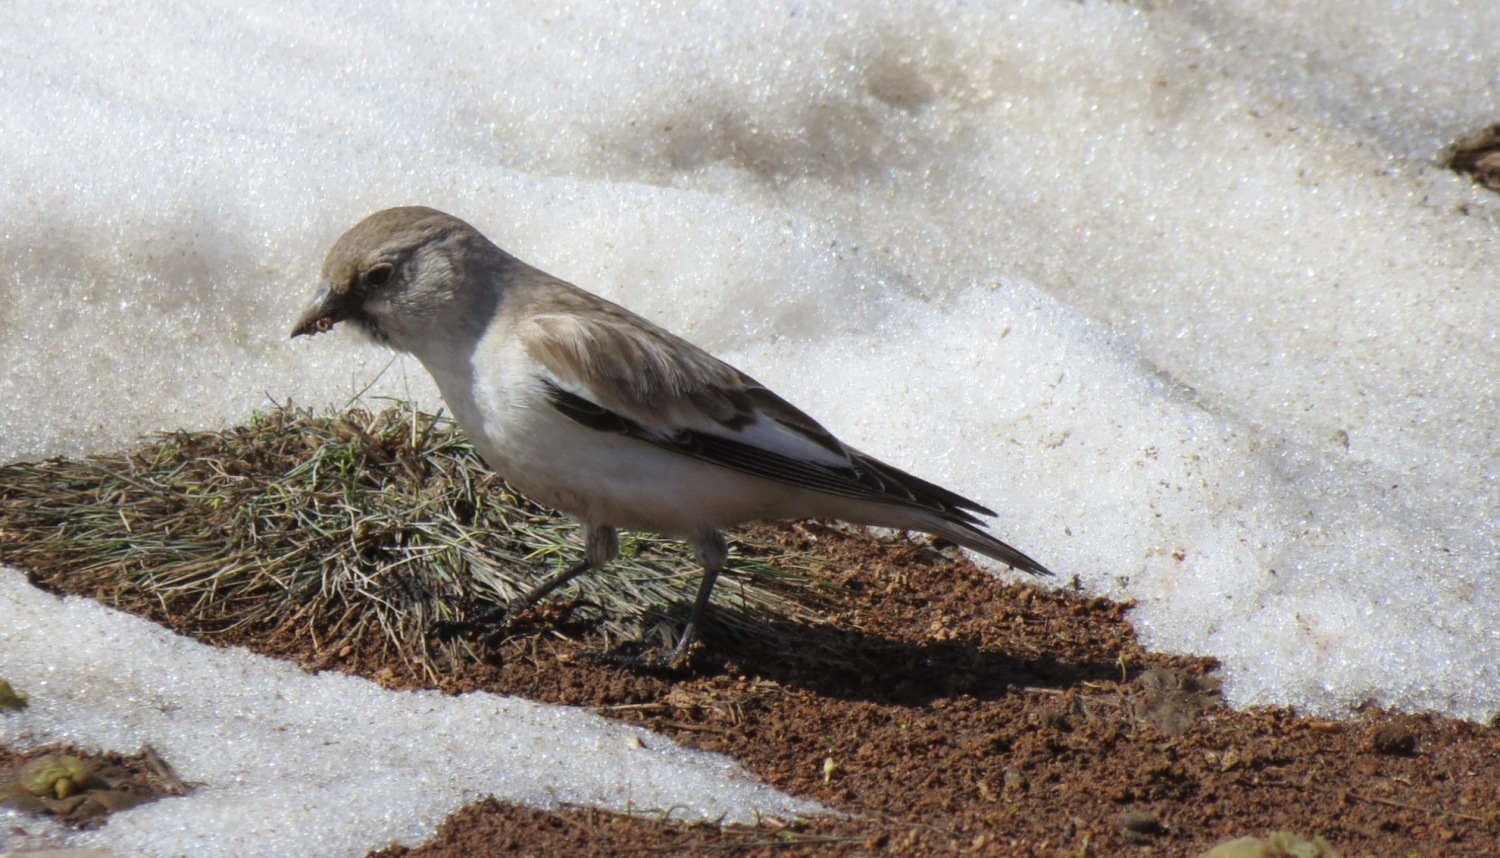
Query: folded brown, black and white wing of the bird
614	371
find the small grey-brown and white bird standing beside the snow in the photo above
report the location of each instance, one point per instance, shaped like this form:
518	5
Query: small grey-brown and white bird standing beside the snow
596	412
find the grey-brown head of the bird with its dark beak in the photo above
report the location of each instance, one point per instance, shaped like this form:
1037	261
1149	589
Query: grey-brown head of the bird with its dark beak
407	274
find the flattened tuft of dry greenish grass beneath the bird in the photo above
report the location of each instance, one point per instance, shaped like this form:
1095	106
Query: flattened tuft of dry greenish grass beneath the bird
344	521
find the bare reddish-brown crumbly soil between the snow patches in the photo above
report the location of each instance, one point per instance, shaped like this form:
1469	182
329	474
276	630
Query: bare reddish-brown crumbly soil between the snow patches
949	713
